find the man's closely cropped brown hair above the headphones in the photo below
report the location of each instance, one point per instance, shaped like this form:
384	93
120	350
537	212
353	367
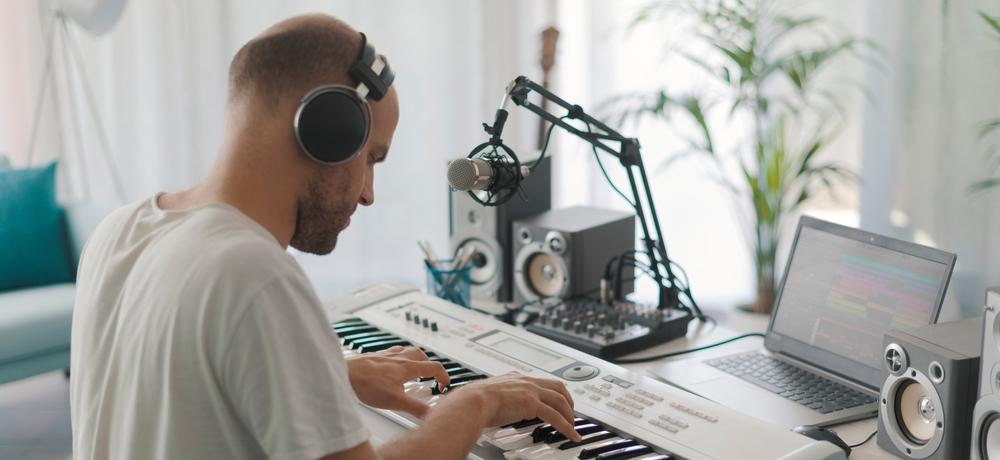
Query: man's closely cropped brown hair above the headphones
293	57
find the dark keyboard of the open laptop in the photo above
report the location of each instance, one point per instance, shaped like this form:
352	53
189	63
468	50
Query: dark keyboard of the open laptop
791	382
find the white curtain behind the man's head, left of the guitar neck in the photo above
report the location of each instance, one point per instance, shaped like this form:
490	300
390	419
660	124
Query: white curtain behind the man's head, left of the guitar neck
159	78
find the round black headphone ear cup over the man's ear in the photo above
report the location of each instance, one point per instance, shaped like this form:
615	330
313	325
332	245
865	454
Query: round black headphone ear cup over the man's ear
332	125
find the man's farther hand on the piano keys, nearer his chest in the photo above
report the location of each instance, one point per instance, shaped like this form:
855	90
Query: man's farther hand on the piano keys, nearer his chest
378	378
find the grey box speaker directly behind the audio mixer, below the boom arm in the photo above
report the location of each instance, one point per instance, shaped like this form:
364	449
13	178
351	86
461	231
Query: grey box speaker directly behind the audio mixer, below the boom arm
562	253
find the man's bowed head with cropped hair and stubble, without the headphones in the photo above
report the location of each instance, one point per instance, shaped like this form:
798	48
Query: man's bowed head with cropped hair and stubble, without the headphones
267	79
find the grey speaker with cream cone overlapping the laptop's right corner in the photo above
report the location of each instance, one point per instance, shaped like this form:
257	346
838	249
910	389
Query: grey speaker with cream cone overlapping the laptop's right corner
931	375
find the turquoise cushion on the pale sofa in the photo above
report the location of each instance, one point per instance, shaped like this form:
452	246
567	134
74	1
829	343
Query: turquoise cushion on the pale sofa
32	230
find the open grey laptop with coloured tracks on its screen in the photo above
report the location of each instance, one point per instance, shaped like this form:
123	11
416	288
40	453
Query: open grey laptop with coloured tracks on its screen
843	288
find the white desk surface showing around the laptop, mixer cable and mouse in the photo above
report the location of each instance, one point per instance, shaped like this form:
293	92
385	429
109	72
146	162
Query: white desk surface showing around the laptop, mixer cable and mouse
734	322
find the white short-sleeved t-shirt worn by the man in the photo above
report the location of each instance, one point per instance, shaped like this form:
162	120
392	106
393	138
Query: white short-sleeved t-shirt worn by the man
196	336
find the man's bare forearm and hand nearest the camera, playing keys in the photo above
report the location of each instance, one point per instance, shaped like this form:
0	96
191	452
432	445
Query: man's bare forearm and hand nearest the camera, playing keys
452	427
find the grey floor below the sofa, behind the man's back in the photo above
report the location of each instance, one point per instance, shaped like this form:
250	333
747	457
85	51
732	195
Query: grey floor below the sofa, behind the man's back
34	418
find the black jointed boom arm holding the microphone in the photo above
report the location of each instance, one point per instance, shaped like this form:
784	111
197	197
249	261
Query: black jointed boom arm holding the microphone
629	156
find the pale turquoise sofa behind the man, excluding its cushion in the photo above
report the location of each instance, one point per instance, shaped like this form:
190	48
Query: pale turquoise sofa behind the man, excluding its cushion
35	321
